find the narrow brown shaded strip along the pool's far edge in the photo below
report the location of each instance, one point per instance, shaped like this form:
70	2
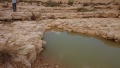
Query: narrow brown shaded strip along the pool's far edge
106	41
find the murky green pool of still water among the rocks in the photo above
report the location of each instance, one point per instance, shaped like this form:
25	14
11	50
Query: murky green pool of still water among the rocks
81	51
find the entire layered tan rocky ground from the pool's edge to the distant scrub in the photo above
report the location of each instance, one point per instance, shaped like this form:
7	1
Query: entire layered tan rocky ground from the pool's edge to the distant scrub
21	32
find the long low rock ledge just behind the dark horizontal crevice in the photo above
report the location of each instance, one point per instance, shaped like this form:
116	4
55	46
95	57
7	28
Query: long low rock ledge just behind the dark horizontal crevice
38	15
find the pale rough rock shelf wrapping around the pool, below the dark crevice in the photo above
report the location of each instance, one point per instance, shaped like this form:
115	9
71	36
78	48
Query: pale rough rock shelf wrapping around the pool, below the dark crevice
23	38
